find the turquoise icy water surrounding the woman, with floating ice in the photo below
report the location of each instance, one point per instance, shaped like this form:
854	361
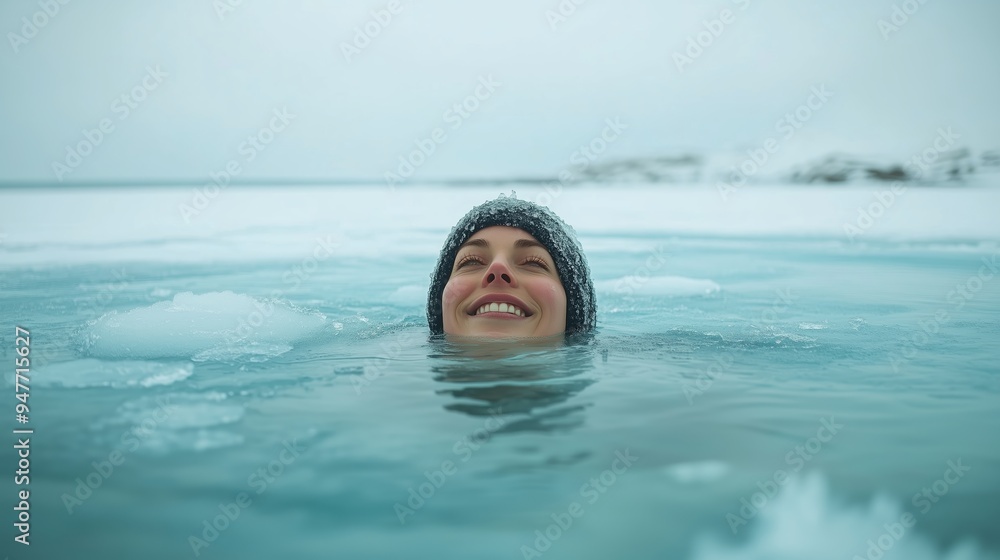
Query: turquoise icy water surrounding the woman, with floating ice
743	397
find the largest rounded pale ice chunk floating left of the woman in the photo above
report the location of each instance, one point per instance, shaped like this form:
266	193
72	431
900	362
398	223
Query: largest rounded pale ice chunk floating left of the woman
211	326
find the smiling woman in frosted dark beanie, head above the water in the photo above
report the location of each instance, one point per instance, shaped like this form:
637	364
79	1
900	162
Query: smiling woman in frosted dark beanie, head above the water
511	268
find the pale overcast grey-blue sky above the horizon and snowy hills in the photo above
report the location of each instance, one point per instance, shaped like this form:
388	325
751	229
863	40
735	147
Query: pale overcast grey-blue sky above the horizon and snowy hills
310	90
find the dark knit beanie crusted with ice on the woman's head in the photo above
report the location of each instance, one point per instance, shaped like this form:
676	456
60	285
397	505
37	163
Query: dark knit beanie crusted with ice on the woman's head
557	236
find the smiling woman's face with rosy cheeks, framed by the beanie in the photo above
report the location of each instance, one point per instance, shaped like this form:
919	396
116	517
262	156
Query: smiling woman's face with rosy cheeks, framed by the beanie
503	283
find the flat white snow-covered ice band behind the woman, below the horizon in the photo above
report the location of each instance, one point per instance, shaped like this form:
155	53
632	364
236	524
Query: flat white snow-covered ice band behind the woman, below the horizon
243	223
